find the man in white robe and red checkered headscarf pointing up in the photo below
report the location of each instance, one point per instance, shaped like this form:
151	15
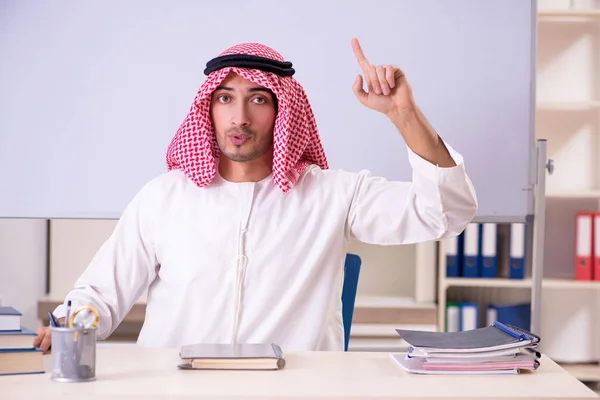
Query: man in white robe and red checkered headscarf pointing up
244	238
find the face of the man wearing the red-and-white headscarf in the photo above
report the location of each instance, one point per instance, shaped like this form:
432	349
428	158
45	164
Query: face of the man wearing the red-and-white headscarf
243	115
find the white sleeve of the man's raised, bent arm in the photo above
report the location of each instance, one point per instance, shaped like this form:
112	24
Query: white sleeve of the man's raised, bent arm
438	203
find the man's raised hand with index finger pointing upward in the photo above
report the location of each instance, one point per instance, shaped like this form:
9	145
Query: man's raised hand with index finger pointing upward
388	89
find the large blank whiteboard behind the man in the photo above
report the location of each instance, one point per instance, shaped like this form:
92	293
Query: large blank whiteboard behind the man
91	93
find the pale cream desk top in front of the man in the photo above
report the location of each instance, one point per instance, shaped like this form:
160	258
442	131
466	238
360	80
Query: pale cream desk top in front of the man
125	370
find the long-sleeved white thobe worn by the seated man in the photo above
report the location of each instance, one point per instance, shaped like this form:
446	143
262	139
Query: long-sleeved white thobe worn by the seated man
246	263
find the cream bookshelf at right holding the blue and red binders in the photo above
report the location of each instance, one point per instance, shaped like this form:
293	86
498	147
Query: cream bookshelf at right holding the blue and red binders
568	117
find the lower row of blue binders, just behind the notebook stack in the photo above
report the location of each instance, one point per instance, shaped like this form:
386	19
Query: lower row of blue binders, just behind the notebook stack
464	316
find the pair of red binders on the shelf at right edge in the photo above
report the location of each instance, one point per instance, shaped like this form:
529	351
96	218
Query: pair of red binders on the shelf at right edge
587	246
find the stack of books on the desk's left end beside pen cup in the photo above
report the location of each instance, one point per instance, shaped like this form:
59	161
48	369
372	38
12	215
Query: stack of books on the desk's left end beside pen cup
17	354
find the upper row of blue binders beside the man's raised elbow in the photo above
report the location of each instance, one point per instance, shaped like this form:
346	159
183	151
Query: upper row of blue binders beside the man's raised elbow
487	250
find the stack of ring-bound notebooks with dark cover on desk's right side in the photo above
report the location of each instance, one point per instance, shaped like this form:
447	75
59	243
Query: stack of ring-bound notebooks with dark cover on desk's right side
496	349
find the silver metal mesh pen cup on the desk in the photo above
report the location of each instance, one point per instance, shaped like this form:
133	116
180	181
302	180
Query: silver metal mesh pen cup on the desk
73	354
